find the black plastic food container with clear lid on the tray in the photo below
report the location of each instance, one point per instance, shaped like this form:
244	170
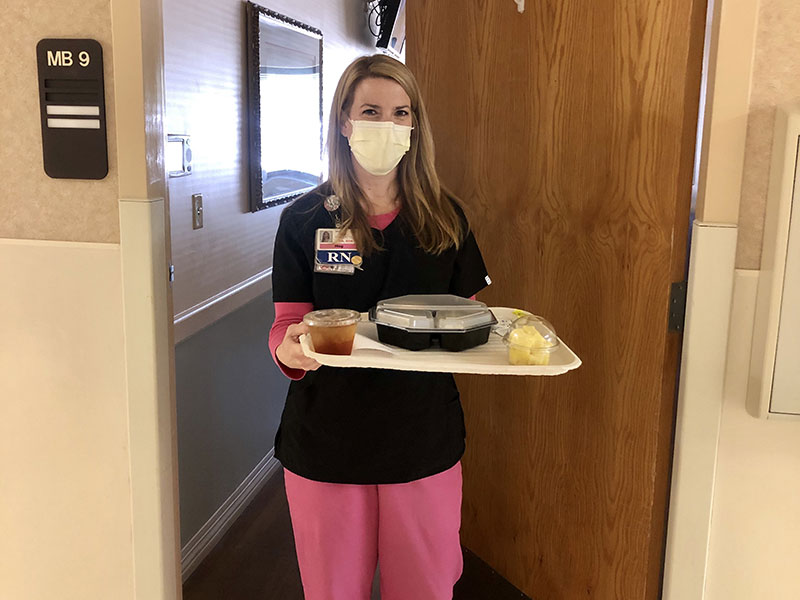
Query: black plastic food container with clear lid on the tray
419	321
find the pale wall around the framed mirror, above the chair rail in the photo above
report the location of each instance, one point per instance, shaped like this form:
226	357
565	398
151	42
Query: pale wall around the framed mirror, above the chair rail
206	99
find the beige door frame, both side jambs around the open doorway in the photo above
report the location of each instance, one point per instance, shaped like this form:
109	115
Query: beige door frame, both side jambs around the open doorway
145	249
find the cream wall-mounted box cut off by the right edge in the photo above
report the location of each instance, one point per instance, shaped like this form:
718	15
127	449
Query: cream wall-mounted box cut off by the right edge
774	387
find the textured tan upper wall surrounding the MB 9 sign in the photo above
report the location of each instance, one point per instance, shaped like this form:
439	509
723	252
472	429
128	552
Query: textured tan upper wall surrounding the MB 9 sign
32	204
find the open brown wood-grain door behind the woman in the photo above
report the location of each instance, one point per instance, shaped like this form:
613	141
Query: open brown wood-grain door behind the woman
570	130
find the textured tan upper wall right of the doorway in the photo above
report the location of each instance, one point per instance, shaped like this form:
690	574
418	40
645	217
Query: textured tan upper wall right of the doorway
775	80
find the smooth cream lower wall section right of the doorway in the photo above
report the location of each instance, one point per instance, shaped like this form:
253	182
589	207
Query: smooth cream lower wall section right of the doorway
754	551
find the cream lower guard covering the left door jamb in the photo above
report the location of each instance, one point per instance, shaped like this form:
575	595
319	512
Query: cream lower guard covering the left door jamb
151	405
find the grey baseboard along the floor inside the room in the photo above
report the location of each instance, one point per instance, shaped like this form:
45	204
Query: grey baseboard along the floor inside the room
197	548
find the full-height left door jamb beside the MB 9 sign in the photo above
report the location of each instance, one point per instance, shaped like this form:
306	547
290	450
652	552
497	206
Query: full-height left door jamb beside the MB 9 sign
138	69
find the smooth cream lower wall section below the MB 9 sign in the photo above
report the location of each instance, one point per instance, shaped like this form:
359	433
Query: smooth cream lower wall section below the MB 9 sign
65	513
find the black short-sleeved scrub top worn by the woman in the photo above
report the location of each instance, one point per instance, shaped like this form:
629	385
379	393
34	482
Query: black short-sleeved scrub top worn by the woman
369	426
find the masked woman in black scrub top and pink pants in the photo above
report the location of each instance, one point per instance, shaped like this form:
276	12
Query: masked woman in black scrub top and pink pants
372	457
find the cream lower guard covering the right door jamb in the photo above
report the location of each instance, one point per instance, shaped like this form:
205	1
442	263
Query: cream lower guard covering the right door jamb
700	394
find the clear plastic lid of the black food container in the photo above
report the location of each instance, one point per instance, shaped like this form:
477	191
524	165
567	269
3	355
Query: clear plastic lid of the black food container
432	313
